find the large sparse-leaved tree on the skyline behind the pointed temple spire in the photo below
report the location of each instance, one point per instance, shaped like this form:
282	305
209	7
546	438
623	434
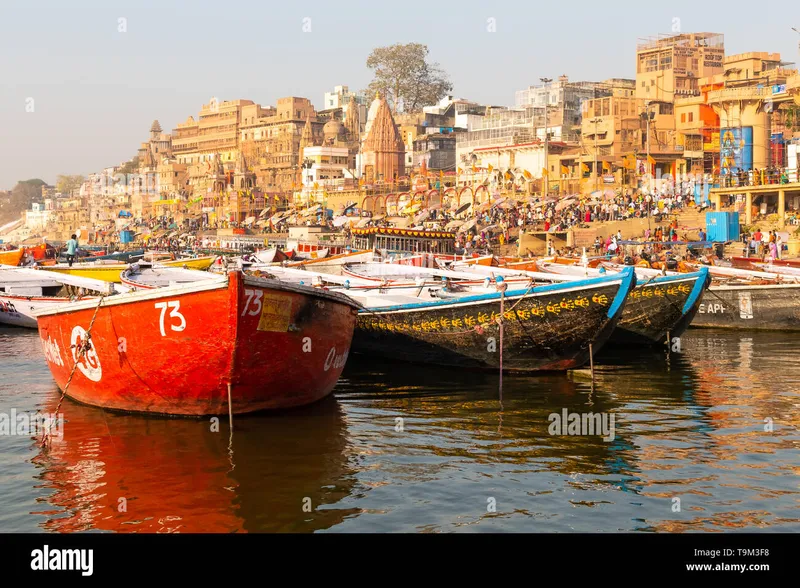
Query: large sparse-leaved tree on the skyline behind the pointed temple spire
406	77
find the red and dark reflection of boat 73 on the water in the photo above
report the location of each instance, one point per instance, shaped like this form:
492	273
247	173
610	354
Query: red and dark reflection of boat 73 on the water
177	475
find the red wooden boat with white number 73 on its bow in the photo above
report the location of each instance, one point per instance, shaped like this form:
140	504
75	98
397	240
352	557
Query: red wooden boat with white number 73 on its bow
182	350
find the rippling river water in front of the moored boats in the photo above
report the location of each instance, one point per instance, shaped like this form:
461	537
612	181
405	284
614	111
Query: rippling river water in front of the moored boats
704	439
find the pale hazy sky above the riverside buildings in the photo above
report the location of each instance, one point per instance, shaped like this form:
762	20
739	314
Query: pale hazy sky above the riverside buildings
96	90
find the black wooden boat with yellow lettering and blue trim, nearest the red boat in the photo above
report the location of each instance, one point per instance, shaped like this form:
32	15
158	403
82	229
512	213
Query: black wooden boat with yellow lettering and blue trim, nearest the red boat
545	328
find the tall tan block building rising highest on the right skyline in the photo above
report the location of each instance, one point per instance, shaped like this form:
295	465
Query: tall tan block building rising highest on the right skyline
670	66
